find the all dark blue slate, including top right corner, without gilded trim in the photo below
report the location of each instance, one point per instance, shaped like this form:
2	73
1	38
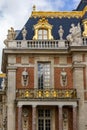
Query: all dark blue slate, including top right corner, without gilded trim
56	22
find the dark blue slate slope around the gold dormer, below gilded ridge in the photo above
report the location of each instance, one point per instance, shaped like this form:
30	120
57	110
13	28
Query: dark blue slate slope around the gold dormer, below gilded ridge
56	22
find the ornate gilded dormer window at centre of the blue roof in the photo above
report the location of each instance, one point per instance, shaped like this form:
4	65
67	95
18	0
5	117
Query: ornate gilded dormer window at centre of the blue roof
43	30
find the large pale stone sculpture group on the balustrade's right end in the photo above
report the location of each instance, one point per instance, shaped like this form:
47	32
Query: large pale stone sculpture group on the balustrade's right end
75	35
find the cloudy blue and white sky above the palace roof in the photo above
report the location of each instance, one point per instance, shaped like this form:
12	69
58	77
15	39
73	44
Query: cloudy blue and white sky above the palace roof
15	13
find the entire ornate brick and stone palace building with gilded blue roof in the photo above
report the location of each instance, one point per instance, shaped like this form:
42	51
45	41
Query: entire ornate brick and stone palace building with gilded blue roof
46	69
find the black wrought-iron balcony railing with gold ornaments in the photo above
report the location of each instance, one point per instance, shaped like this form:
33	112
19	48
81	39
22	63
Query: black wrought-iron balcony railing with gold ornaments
46	93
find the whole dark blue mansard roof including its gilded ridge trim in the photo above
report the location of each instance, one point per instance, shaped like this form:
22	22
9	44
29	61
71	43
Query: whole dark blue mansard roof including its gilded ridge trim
55	19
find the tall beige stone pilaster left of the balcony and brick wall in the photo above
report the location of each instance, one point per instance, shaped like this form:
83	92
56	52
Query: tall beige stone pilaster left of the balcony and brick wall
11	92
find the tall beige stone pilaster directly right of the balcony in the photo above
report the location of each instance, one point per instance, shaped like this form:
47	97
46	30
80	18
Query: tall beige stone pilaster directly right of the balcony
78	83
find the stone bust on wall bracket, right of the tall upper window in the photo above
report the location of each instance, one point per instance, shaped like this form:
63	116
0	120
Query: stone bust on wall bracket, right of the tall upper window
63	78
